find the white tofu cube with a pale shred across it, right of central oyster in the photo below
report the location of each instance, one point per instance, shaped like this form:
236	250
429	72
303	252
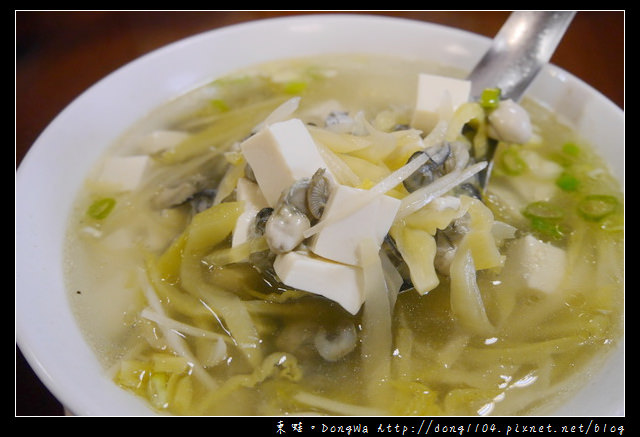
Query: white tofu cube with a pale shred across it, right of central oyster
340	239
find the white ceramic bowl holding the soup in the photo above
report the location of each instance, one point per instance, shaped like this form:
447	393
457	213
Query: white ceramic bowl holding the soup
55	166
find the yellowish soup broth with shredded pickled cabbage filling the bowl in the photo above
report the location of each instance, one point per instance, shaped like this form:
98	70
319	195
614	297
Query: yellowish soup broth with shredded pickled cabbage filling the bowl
199	325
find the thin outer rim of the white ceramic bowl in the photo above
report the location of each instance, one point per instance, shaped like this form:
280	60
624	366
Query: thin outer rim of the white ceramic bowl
36	358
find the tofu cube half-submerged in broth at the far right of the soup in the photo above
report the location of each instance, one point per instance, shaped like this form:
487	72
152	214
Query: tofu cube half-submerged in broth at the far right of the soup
535	265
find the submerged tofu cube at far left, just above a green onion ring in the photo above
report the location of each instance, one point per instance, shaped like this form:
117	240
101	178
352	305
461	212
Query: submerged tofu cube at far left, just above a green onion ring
123	173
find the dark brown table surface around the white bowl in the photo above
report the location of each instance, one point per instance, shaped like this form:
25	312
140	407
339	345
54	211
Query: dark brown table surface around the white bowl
60	54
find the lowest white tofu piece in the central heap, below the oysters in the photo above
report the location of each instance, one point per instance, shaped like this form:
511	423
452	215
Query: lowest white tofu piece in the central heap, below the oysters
338	282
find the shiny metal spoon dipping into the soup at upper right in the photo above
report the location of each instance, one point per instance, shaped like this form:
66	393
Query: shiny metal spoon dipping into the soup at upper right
523	45
